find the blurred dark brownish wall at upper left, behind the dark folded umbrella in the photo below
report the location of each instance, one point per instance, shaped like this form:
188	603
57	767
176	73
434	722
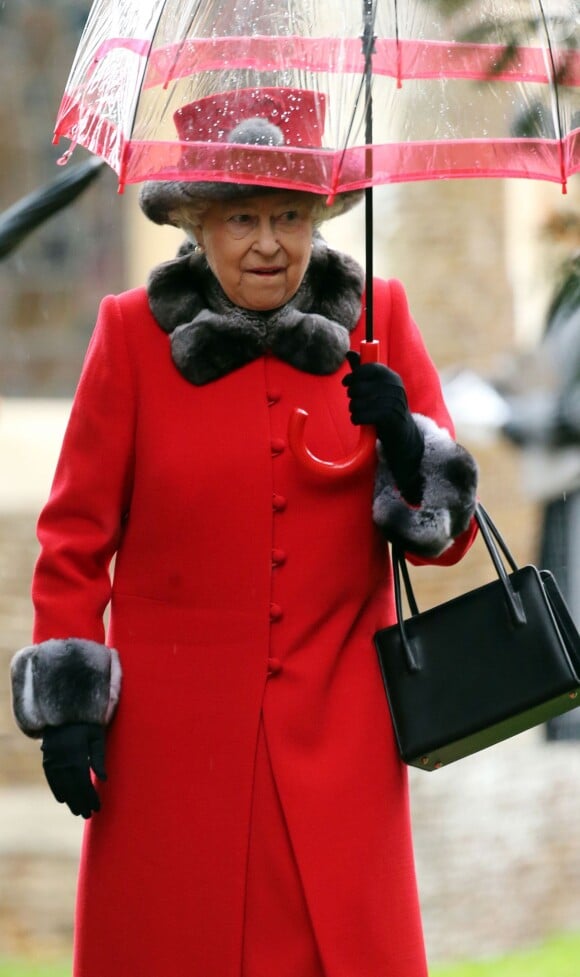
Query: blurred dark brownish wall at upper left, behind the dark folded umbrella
51	284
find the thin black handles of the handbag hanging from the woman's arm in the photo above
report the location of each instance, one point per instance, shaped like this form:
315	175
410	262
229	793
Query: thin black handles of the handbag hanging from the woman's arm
497	547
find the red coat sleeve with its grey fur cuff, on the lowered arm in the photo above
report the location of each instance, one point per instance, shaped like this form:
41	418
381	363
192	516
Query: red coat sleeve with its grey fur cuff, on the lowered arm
69	675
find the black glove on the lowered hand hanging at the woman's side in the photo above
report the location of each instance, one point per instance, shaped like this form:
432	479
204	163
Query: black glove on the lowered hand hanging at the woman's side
70	752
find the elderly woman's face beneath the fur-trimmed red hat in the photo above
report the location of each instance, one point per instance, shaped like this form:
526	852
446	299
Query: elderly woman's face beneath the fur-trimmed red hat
258	248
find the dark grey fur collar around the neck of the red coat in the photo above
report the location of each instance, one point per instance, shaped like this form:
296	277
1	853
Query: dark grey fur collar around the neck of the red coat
210	336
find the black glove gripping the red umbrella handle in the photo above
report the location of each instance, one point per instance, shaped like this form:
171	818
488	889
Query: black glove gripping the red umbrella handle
377	396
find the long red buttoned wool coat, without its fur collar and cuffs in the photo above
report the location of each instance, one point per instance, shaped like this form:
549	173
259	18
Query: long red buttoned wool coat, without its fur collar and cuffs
243	586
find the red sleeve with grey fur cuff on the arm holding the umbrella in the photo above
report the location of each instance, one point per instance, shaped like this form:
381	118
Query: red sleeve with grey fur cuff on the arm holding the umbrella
442	527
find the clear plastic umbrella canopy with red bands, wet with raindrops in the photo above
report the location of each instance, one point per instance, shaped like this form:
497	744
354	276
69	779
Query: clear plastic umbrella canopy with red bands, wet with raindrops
460	89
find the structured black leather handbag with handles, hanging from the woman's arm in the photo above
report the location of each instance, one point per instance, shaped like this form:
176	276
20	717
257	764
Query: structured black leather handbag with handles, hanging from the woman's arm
481	667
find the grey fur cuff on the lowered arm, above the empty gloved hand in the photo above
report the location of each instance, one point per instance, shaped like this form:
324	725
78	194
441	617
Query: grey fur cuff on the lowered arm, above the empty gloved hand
64	681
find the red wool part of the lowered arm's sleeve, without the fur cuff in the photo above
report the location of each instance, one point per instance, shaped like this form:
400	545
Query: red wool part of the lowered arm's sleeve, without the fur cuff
80	527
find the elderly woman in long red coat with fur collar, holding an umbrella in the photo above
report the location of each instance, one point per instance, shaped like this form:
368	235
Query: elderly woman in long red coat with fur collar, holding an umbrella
254	821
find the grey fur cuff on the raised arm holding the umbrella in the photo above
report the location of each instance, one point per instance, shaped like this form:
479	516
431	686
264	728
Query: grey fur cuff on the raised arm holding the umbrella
449	495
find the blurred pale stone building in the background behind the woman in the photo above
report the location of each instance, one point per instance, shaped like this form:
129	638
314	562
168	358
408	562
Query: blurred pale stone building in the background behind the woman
498	835
